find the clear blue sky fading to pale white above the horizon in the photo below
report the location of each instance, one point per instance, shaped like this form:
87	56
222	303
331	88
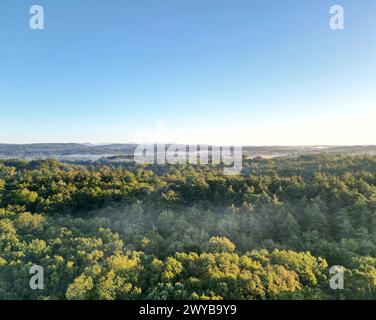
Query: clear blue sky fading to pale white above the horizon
251	72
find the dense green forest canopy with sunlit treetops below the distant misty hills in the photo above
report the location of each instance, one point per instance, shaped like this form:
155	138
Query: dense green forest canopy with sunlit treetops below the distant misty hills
121	231
